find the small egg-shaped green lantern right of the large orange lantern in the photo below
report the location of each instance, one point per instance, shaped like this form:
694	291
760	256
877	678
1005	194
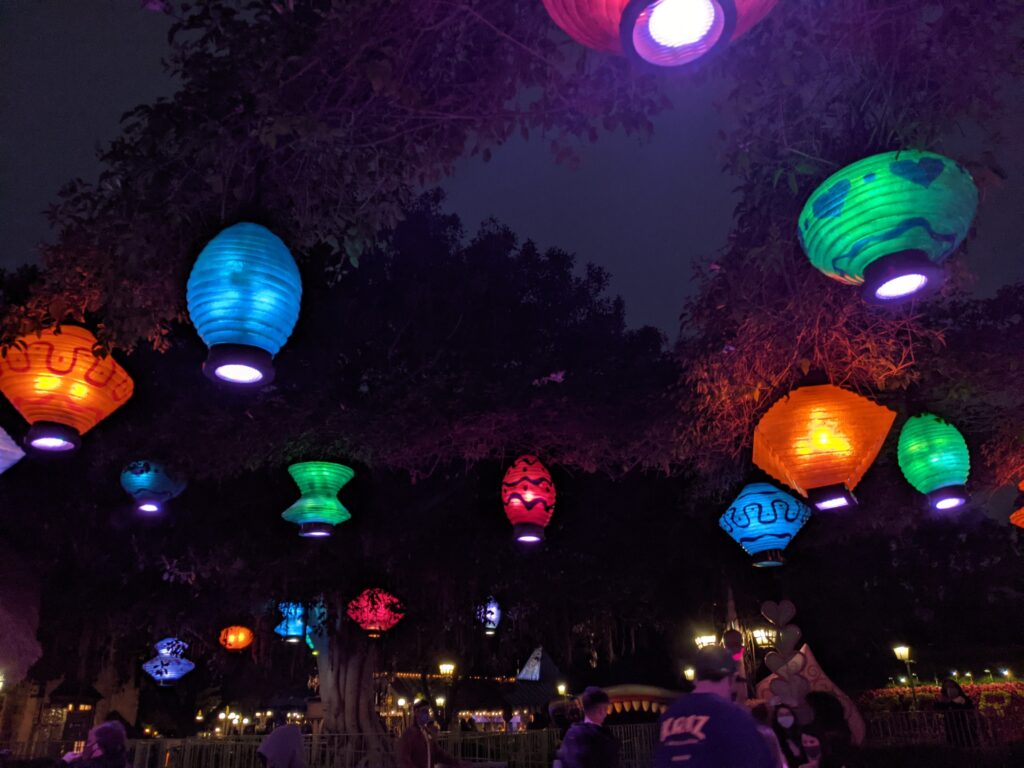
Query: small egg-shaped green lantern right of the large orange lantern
935	460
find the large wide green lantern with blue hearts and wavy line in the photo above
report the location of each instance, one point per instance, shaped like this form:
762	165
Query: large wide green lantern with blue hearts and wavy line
889	222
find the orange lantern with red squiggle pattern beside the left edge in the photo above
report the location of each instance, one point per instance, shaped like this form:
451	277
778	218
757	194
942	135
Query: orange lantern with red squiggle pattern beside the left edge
61	388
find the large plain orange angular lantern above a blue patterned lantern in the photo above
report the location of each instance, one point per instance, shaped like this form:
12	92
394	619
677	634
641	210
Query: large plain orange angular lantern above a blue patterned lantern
820	441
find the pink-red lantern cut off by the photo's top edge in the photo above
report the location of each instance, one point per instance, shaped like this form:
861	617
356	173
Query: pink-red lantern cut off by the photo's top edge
665	33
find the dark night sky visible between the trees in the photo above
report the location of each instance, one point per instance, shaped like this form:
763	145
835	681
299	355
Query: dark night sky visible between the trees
70	68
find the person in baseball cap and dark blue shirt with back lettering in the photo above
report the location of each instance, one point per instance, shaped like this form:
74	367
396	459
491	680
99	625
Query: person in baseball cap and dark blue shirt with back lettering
705	730
